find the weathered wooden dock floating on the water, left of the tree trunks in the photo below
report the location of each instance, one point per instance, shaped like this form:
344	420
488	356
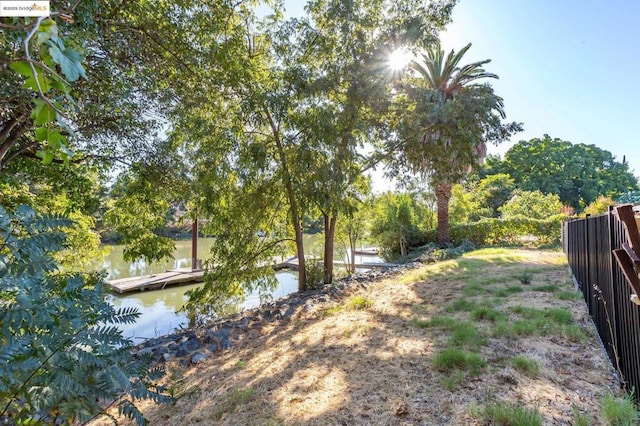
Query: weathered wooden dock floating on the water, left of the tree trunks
156	281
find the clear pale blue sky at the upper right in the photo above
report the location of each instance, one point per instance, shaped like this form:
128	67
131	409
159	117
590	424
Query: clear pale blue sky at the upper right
567	68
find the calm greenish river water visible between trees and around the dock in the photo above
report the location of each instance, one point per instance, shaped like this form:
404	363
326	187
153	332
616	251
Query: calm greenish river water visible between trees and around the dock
160	309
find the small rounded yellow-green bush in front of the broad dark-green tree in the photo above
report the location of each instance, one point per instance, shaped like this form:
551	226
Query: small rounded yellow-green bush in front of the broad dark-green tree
532	204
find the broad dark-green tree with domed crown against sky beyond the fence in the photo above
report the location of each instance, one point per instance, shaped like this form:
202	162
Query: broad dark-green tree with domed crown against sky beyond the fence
577	173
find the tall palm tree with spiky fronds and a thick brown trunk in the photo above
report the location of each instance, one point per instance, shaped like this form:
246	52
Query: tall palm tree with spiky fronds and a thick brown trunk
445	80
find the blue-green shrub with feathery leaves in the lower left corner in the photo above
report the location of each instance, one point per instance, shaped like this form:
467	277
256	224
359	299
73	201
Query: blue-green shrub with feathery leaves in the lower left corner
59	345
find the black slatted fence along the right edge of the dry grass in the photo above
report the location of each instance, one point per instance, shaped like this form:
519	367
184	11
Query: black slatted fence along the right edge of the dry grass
588	244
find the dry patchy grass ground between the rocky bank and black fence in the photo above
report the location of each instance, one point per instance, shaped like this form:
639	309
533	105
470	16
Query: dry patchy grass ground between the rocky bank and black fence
370	363
